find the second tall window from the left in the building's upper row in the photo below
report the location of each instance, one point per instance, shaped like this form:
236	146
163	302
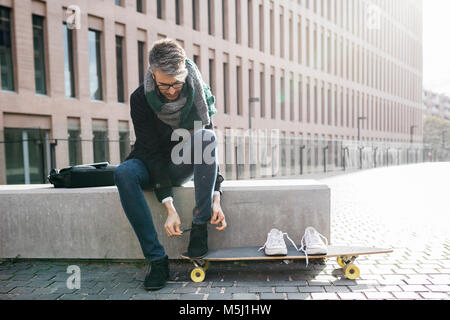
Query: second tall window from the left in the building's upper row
39	55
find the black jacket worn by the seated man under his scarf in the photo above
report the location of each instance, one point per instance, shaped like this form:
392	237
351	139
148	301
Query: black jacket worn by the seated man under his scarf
153	145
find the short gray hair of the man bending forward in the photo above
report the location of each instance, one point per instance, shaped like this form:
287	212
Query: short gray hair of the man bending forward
168	57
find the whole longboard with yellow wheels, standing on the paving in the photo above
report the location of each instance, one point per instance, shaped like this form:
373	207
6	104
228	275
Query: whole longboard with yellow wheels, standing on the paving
345	255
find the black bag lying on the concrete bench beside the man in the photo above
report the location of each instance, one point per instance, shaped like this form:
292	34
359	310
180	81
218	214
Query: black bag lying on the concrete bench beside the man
82	176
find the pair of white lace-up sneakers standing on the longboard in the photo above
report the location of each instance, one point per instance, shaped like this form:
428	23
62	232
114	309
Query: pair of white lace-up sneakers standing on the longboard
311	243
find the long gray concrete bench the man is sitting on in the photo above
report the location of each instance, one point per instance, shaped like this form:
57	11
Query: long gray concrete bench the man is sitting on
40	221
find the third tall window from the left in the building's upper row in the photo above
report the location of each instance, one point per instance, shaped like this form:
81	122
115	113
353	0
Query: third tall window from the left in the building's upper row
69	66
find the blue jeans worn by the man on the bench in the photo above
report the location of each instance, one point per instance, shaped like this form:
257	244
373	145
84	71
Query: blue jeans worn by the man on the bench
131	177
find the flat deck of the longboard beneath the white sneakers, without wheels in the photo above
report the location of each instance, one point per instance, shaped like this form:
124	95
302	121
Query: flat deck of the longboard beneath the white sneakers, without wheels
252	253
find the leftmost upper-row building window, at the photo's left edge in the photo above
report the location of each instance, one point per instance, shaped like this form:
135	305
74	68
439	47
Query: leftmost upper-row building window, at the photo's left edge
6	52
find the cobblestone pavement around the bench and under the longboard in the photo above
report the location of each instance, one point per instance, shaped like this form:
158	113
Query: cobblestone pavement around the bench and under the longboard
406	208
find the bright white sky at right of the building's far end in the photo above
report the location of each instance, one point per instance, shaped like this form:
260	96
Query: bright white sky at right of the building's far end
436	45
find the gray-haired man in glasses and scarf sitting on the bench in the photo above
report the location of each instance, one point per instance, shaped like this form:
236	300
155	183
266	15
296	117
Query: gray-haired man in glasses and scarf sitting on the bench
172	98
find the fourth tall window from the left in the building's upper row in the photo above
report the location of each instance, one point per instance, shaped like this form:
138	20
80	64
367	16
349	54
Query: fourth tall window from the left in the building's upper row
95	65
